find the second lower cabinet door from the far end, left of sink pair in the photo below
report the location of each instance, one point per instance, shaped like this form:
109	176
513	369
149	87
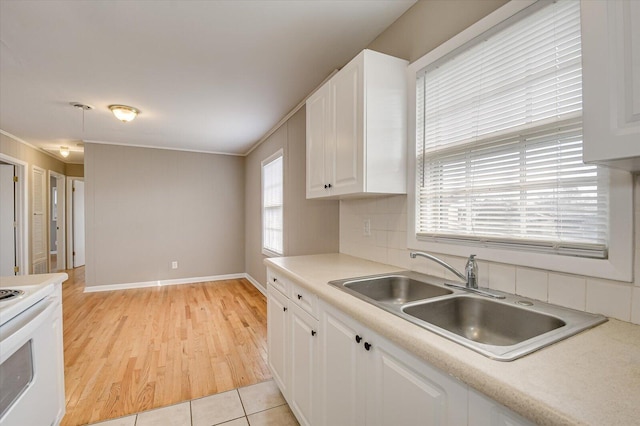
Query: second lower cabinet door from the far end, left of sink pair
304	358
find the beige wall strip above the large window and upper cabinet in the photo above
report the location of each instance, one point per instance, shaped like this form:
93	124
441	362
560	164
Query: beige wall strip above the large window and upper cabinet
428	24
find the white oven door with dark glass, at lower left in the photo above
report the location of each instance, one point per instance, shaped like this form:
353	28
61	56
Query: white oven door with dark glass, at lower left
29	380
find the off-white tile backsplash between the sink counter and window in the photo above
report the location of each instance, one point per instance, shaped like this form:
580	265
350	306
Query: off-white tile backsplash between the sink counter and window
387	243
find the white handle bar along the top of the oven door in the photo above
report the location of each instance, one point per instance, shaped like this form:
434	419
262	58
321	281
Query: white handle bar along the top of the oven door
20	329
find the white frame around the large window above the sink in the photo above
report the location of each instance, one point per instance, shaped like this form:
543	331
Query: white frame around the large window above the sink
619	264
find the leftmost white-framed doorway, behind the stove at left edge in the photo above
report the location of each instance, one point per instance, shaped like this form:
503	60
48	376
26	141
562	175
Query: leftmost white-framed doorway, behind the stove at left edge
13	217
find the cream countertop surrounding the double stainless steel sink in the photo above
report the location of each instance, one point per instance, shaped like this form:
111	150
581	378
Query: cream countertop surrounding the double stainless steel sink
591	378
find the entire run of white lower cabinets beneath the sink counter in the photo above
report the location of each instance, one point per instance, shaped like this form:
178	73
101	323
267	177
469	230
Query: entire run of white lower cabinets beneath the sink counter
334	371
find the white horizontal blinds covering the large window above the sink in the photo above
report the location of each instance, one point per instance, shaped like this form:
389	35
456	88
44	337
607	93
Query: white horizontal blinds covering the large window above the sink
499	141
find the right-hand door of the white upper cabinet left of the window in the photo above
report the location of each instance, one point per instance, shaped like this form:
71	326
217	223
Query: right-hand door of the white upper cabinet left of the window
348	116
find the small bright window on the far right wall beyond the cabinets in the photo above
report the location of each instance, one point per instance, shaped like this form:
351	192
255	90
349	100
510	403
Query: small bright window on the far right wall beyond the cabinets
272	202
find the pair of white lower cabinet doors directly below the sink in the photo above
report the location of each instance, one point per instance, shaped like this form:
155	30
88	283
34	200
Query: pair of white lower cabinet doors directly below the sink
369	380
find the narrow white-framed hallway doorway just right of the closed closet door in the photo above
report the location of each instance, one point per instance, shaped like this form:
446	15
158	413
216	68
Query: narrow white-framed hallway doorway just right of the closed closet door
57	261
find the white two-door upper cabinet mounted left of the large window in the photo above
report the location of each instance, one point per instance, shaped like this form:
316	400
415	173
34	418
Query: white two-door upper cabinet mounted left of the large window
356	129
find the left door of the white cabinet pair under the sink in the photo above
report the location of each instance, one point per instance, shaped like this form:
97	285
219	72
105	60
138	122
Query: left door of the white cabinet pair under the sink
342	395
